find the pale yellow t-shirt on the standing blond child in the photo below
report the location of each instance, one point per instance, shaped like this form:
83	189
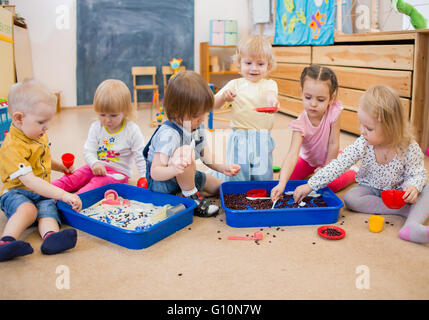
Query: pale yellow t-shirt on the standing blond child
250	95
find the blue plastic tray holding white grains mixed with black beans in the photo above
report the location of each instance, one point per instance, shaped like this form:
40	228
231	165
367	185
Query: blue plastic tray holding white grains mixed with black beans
129	238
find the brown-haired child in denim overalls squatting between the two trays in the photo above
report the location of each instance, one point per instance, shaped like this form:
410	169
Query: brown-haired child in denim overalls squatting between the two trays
179	142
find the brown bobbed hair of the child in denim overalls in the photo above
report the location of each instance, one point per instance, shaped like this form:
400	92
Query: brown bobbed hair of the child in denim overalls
187	96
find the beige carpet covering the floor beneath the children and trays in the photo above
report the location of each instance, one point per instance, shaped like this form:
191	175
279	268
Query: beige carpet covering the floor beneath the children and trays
198	262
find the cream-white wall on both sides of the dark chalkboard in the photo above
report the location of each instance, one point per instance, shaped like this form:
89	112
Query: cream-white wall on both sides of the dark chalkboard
54	48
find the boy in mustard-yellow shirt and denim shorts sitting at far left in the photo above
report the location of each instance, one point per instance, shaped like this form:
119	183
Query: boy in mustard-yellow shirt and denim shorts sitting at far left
25	170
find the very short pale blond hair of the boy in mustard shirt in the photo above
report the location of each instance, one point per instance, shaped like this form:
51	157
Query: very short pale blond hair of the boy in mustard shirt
24	96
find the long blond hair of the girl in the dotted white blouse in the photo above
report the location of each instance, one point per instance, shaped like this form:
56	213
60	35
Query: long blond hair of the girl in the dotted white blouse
383	103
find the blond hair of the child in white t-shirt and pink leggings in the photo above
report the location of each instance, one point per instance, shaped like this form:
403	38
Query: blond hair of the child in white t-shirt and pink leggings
113	96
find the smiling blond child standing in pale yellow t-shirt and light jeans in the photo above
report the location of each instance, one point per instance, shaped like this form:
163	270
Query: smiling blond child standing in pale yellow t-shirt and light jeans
250	144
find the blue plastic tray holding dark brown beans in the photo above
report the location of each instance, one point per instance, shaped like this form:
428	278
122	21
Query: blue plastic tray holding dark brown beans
278	217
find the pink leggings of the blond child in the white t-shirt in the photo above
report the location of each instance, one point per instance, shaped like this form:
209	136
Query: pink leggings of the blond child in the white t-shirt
84	180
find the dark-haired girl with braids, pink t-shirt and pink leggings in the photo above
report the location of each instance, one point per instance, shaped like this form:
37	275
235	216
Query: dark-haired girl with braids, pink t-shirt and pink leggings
316	132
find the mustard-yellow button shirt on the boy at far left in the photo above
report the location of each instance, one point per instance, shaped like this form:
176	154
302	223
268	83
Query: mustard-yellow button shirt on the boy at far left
20	155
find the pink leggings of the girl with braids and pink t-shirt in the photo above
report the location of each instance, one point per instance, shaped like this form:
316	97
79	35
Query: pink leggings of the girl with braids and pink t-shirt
303	170
